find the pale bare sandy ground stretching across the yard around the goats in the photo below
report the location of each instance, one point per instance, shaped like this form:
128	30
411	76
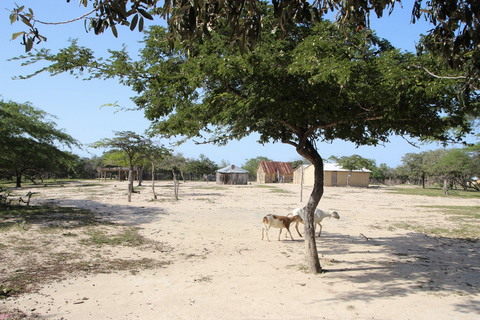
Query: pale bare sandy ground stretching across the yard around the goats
220	269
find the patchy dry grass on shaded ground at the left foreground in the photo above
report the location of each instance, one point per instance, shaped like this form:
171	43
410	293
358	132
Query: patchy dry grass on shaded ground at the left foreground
31	237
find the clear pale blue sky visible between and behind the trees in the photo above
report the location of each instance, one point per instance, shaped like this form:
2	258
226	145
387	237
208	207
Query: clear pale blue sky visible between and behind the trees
77	104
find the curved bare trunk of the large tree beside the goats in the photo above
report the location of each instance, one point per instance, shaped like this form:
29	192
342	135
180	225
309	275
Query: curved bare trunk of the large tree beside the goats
311	254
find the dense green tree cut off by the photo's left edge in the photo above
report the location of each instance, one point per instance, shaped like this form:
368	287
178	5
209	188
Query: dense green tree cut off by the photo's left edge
29	141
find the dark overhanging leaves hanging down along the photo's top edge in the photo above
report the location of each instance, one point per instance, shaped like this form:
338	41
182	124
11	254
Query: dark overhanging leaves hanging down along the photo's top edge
454	35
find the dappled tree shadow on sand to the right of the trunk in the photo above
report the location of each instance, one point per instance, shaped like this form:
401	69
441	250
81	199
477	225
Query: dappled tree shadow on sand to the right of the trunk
403	265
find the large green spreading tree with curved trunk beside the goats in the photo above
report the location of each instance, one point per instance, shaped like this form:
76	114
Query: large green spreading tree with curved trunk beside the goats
310	85
